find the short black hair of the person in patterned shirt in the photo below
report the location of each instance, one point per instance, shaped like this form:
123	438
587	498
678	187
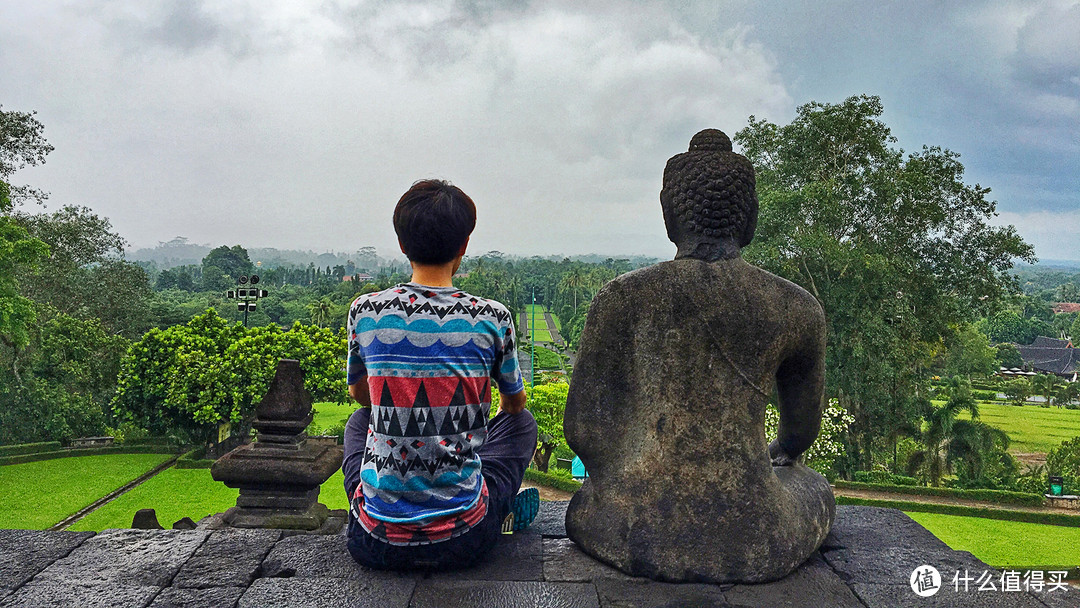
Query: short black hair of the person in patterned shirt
434	220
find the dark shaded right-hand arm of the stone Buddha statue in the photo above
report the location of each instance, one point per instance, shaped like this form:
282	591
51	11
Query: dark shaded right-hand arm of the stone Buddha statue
801	387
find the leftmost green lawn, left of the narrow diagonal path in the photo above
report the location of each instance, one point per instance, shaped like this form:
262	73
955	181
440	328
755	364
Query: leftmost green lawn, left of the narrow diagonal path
37	495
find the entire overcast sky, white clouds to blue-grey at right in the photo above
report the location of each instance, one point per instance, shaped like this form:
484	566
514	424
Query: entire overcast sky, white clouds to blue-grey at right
298	124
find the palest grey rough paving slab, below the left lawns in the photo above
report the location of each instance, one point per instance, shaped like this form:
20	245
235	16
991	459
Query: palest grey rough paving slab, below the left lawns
126	559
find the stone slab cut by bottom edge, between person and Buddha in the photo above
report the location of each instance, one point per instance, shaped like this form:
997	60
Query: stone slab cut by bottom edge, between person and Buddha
492	595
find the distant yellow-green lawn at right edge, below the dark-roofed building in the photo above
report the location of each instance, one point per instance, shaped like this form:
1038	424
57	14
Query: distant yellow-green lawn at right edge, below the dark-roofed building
1031	428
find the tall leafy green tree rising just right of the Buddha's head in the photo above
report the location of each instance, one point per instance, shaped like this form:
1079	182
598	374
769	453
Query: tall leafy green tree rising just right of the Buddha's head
895	247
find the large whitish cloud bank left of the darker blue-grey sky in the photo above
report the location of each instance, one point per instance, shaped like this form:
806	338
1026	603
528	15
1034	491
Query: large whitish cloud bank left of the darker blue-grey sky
300	125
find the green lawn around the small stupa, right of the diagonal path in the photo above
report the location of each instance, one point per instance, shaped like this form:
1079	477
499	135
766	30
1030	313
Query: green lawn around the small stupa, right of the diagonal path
185	493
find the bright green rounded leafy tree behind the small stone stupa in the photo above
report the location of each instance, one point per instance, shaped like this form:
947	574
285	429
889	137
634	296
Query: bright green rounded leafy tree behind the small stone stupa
190	379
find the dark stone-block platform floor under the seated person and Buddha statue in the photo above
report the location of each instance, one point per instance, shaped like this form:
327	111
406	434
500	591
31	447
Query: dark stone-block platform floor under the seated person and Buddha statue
867	562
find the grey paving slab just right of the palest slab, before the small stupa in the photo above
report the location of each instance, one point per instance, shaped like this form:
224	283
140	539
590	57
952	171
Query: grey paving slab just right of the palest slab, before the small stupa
227	559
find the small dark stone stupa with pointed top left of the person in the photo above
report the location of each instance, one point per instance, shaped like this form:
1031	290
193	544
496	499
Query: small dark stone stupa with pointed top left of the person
280	474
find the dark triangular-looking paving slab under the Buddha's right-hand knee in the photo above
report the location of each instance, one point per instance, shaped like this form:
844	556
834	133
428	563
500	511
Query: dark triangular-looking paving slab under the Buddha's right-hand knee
814	585
